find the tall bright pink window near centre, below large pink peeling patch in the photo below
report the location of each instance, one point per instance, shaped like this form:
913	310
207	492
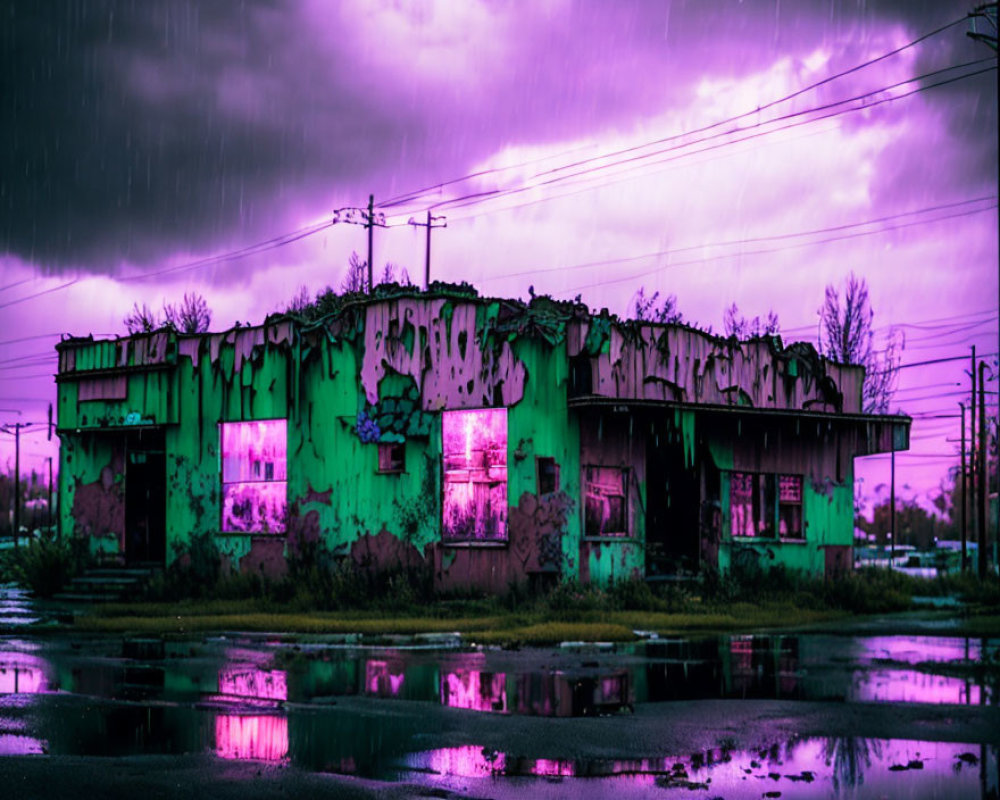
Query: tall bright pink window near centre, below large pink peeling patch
475	475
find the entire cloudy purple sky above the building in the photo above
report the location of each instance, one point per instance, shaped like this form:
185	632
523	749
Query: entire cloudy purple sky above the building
144	136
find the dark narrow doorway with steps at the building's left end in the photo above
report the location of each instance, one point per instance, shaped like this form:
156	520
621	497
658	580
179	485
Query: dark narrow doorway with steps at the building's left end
145	498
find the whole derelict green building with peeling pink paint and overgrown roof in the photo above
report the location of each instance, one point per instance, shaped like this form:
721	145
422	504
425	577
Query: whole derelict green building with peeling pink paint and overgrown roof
489	442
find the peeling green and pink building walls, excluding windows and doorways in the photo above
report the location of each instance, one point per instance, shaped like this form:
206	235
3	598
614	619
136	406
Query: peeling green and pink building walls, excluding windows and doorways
396	363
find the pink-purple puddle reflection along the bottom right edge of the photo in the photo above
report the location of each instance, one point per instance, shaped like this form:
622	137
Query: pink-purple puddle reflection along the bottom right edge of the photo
814	767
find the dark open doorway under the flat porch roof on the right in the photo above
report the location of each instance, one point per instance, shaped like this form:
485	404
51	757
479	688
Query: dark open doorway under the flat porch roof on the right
672	505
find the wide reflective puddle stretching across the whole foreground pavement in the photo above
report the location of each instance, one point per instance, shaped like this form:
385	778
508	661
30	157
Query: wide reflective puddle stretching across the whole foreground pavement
366	711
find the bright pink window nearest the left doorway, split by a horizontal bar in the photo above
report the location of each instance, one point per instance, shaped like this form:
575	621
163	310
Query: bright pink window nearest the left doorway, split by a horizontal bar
253	476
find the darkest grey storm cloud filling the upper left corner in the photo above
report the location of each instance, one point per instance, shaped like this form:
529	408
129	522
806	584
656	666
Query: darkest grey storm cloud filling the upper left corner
138	128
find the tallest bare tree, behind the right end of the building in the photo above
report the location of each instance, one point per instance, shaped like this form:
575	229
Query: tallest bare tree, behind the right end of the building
847	335
